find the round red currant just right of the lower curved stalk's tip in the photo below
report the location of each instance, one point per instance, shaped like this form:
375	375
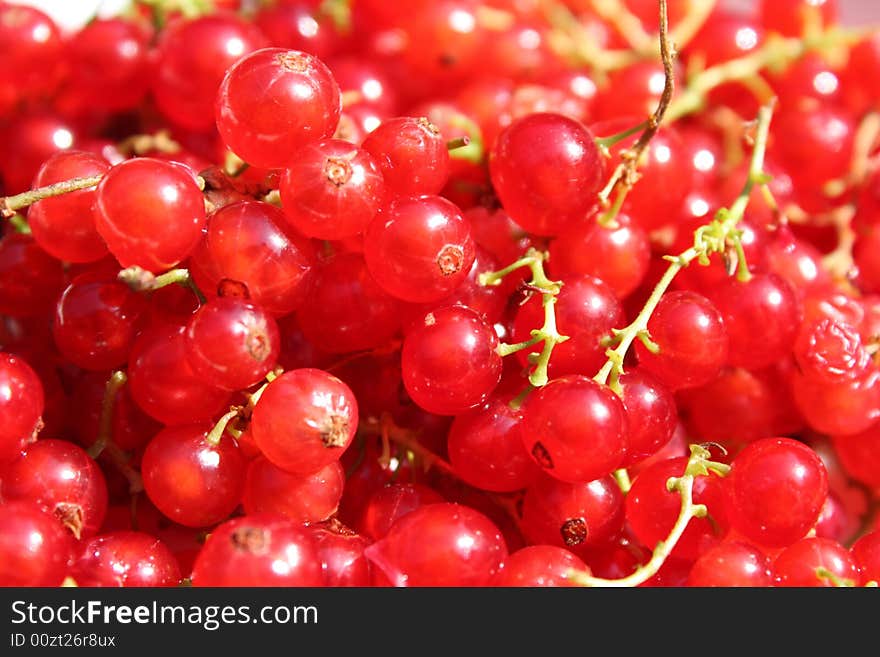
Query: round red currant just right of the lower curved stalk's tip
775	491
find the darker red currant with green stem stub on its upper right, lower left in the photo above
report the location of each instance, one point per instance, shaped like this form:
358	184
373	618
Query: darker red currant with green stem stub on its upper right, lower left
191	480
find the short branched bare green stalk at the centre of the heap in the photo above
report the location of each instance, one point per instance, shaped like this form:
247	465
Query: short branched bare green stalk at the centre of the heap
548	333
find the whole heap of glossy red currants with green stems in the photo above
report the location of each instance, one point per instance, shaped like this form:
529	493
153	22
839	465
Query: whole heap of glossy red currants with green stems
267	317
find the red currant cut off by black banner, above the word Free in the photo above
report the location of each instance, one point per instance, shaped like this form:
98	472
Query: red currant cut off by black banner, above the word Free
126	559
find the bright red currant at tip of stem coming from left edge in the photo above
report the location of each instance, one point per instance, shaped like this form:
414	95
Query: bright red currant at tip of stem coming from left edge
151	213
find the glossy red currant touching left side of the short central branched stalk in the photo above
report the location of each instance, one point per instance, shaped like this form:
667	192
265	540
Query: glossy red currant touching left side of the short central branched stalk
449	363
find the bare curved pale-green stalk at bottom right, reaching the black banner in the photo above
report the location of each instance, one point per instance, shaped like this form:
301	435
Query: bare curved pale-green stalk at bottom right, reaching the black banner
699	464
